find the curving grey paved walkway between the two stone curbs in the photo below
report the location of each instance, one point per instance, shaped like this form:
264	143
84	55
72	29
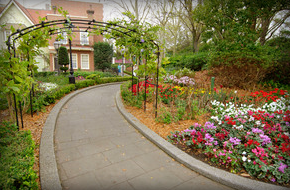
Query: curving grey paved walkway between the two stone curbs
96	148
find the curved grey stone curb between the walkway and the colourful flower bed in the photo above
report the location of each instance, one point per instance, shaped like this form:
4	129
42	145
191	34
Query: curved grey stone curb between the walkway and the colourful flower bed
218	175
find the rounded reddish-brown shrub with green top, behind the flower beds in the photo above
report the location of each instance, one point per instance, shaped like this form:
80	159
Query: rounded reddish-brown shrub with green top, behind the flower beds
235	69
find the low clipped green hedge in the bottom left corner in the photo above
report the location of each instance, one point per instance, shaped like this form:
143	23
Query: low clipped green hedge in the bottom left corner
17	158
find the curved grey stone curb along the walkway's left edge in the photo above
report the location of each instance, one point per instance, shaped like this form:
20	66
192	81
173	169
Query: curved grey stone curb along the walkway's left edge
49	177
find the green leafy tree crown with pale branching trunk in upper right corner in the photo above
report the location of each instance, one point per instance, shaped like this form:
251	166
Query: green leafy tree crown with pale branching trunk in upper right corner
259	20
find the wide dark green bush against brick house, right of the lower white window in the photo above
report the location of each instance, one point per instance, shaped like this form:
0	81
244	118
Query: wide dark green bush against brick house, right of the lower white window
103	53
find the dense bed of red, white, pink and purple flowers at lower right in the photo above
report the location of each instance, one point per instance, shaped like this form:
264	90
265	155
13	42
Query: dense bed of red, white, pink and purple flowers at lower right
245	137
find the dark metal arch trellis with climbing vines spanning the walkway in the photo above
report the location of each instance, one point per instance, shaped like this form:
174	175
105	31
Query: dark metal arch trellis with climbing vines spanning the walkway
76	25
